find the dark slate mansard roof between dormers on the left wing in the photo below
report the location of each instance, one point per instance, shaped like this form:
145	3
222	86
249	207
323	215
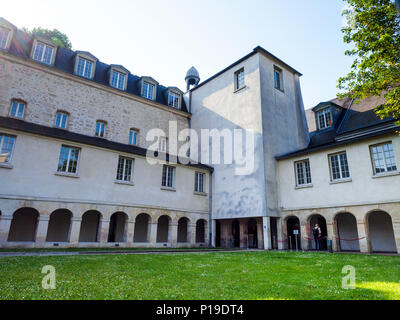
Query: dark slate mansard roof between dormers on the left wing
21	46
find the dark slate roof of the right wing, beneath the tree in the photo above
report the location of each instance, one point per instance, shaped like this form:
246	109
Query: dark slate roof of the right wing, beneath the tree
353	125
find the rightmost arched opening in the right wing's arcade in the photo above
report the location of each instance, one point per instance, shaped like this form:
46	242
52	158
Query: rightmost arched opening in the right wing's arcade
380	232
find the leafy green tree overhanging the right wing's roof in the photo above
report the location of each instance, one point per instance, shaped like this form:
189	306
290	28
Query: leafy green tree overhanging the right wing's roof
373	28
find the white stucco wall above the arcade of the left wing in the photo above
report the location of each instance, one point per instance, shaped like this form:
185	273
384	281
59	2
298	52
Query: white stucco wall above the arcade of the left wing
35	159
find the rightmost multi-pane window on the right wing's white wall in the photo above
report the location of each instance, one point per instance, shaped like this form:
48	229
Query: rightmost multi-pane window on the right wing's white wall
383	158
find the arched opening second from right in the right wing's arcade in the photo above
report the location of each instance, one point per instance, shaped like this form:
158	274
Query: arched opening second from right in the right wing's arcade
346	225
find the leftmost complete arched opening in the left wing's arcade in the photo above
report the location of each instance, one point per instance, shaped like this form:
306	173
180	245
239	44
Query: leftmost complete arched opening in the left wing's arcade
23	225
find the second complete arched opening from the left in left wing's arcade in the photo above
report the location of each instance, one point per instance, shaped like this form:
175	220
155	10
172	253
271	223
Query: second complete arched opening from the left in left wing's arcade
59	226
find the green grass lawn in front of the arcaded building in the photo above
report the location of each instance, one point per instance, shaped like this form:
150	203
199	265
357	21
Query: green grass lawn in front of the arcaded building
242	275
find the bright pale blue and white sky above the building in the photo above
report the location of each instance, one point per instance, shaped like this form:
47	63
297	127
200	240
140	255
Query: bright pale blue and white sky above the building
164	38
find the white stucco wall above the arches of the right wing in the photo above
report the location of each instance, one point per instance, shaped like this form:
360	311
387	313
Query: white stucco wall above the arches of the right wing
363	188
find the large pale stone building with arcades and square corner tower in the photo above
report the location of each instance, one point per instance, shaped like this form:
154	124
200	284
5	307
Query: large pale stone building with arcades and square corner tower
74	169
